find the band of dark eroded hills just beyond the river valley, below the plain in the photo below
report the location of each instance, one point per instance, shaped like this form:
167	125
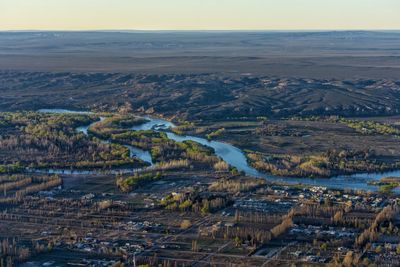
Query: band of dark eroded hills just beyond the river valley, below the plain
200	96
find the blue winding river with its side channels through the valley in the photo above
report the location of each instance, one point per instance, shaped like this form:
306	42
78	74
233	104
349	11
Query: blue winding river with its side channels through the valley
233	156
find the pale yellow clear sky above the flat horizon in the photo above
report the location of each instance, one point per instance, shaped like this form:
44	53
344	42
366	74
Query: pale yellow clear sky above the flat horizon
199	14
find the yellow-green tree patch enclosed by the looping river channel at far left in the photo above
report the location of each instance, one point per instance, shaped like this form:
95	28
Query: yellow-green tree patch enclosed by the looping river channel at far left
41	140
